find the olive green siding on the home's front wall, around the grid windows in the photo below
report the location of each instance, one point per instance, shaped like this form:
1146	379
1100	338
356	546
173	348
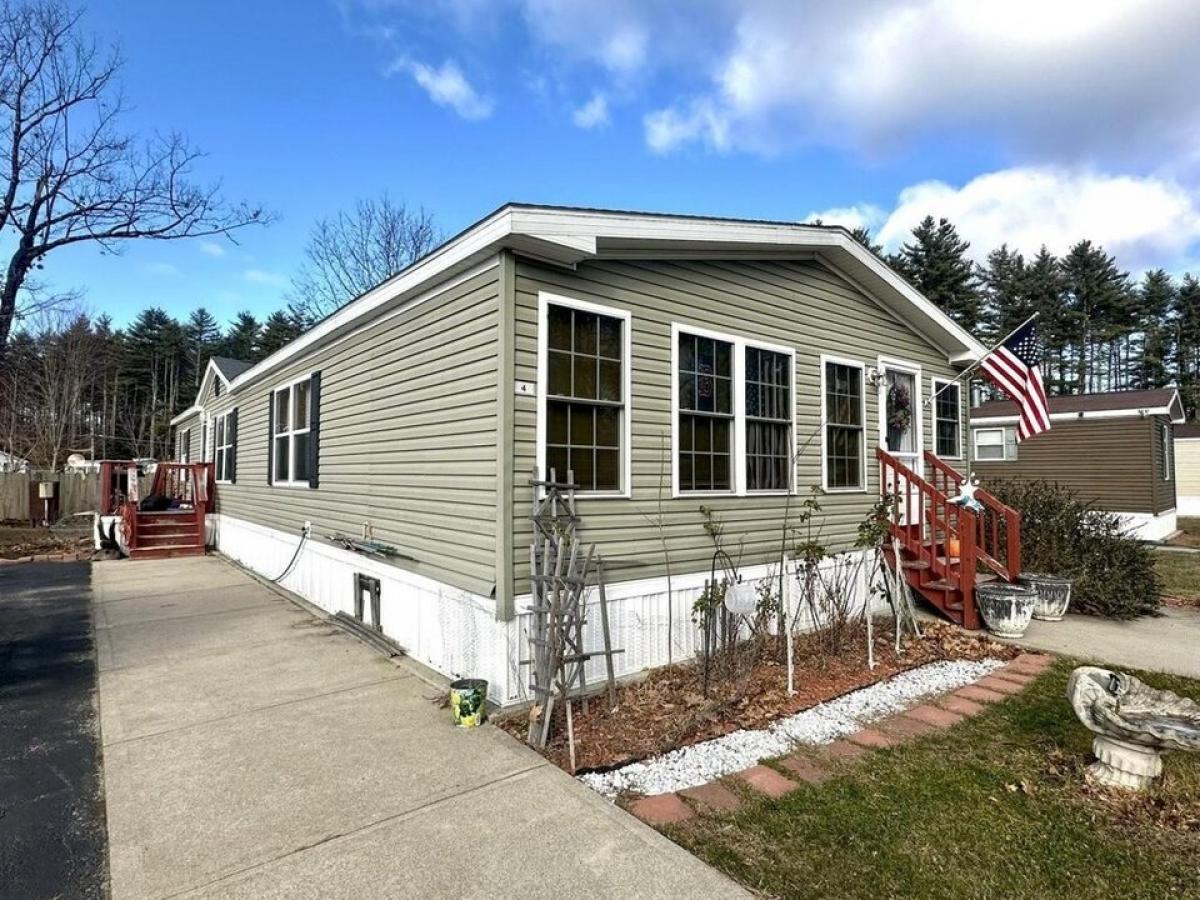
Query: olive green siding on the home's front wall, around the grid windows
801	305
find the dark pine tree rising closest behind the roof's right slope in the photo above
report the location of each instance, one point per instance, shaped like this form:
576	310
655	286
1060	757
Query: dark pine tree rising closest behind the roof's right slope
938	266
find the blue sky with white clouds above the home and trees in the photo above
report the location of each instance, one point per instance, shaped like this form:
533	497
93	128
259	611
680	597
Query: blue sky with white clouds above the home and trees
1023	122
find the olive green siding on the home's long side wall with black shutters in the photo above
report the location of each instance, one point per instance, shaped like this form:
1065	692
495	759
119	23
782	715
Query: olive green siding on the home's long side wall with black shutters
409	430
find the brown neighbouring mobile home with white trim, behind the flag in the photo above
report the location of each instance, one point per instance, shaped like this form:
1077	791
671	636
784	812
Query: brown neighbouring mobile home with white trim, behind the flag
1115	449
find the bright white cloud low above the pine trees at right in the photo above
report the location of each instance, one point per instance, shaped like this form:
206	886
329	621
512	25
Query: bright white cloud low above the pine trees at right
1144	221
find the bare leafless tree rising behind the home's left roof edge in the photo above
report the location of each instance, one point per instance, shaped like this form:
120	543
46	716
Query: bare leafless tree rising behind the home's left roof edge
357	250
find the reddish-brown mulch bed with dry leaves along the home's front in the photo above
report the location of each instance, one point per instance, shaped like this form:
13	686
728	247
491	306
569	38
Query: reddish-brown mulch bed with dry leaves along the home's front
667	711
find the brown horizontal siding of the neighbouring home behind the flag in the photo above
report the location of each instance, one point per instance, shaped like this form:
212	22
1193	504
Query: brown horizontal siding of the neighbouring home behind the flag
1111	463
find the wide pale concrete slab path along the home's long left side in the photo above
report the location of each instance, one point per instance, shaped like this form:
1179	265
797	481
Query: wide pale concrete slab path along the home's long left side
253	751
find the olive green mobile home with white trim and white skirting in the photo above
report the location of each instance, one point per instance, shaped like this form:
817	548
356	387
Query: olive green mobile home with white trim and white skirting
671	362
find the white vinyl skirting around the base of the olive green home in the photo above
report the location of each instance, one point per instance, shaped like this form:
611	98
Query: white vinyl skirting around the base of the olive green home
458	634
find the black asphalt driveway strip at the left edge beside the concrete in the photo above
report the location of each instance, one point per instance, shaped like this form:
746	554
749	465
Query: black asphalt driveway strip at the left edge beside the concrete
52	813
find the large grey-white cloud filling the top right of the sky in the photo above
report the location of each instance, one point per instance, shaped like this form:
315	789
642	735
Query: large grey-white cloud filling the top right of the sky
1055	79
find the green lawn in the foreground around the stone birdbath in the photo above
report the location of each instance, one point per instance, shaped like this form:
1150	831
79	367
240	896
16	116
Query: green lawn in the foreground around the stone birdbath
995	807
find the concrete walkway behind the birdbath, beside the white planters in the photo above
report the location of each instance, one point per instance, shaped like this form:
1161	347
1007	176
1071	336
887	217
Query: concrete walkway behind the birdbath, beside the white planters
1166	644
